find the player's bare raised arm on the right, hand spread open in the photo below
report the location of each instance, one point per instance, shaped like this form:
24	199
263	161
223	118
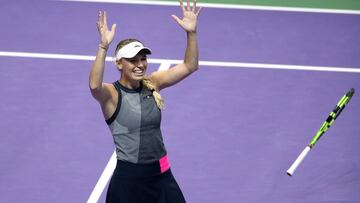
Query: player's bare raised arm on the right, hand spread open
163	79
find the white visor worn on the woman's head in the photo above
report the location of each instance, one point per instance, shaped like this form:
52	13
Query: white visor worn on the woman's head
130	50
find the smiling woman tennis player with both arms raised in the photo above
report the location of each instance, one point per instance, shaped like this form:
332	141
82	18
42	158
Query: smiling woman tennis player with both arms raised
132	107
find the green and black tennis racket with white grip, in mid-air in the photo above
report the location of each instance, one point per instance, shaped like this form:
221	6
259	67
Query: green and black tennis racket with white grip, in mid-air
325	126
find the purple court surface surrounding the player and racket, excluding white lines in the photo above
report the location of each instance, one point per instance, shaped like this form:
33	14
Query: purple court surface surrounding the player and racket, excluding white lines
231	133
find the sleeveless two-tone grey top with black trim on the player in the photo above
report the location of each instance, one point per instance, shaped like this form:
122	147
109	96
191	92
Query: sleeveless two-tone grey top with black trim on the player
135	126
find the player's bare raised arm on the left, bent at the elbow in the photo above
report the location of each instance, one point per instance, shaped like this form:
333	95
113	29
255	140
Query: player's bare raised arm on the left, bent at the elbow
100	90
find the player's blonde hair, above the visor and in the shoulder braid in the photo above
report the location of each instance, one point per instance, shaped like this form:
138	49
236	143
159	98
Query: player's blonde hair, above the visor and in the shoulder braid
146	82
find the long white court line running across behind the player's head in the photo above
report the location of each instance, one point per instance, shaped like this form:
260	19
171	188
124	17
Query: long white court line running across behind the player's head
168	62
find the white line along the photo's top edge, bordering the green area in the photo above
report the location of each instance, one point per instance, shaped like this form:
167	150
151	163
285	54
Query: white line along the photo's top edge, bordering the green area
227	6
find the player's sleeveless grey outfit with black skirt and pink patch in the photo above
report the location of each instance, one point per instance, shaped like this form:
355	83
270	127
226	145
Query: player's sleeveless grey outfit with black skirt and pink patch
142	173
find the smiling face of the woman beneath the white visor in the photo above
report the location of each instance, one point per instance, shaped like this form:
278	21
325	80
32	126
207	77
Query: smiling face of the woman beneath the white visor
133	69
